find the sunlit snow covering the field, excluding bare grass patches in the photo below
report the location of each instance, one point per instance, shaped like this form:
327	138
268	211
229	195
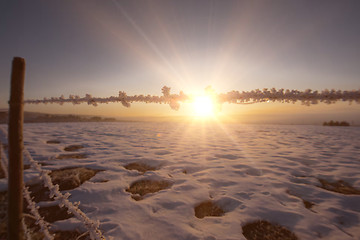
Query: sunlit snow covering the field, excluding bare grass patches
251	171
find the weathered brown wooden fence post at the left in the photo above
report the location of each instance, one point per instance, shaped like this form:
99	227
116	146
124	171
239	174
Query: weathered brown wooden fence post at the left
16	145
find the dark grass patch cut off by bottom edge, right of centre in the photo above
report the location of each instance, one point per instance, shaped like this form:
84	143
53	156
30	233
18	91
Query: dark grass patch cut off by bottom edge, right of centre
264	230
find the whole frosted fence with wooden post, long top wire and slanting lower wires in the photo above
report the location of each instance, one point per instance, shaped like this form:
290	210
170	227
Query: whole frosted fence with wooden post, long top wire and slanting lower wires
307	97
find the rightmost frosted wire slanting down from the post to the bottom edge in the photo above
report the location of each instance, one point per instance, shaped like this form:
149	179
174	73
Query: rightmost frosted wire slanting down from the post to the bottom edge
93	227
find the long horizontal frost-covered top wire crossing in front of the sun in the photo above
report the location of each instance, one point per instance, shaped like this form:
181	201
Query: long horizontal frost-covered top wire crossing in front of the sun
307	97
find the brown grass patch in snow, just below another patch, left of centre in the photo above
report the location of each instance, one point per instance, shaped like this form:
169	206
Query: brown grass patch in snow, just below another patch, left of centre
143	187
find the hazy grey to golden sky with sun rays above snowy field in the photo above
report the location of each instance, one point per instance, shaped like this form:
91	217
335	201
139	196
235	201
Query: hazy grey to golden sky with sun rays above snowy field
103	47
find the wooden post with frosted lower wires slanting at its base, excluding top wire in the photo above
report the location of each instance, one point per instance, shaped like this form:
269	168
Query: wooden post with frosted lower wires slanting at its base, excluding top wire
13	171
